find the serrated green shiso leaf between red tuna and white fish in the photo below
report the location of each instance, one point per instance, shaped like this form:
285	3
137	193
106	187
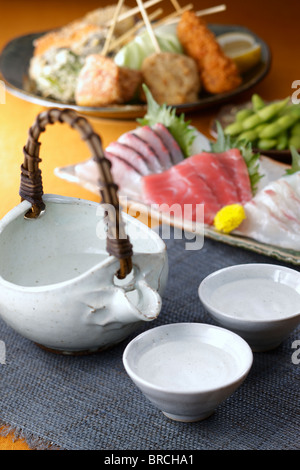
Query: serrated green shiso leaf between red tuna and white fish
227	142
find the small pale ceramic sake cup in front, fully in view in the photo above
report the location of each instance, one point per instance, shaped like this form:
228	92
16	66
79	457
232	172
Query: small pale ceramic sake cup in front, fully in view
187	370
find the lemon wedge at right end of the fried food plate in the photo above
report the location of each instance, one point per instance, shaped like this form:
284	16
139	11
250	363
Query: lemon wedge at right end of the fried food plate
242	48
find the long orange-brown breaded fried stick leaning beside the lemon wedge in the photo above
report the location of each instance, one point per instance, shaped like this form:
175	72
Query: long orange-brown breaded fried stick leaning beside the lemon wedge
218	73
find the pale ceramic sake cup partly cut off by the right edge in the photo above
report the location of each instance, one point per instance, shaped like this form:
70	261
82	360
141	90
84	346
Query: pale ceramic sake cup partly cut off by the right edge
259	302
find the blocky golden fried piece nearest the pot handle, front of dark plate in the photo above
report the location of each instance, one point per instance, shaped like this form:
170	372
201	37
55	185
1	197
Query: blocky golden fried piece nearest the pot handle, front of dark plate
101	82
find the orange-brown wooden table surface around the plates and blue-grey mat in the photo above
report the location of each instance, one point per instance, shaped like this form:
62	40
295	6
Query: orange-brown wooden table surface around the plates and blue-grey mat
275	21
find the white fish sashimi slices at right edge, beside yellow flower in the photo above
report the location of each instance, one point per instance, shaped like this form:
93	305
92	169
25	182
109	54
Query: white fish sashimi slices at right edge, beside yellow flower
272	216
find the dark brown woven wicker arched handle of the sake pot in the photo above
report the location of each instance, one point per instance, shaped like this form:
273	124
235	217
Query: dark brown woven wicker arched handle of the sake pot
31	187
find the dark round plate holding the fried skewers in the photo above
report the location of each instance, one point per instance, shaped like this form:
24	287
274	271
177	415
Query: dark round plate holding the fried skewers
16	55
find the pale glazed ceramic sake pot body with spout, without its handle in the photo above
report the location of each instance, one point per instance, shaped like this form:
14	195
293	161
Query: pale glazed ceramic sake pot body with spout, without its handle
57	283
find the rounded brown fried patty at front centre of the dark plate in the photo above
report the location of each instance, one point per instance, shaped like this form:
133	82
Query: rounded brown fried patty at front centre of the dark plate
171	78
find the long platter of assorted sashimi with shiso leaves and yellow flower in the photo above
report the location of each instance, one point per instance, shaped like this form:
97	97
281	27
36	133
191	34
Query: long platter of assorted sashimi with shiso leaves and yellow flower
233	195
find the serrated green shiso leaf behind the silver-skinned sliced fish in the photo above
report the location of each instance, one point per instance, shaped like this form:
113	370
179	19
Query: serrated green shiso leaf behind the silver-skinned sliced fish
166	115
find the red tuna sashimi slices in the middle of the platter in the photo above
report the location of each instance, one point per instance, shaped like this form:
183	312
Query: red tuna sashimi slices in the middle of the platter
200	179
